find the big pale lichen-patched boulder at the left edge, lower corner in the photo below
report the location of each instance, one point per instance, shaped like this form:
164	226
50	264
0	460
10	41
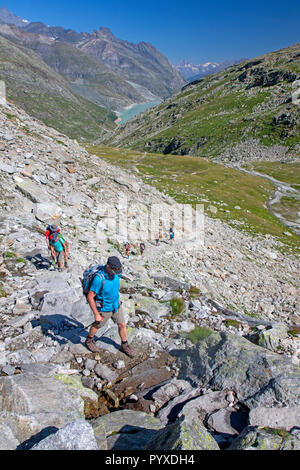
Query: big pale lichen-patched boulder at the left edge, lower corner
44	397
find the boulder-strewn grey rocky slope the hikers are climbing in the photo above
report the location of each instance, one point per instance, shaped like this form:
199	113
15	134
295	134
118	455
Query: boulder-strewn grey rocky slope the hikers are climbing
216	331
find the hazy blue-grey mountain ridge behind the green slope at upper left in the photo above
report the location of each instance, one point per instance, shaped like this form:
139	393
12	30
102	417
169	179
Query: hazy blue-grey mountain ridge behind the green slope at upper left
138	63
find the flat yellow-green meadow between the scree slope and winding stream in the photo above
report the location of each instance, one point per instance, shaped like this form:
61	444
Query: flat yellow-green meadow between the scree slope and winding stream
237	198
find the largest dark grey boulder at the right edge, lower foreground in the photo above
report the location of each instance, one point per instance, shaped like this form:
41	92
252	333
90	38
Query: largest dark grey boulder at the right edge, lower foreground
258	376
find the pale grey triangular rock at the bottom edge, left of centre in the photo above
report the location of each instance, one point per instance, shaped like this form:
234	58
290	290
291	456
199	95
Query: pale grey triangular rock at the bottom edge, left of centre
78	435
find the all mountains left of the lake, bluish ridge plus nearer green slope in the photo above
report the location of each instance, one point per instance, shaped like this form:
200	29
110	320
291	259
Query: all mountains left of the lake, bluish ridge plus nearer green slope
75	81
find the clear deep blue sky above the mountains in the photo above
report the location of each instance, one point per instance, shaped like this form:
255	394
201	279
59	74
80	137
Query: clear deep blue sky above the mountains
199	31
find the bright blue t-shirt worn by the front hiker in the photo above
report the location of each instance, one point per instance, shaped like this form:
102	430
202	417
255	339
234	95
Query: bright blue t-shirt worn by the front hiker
107	291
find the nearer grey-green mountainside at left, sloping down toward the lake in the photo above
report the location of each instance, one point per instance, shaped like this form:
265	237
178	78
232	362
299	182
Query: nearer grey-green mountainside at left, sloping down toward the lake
44	94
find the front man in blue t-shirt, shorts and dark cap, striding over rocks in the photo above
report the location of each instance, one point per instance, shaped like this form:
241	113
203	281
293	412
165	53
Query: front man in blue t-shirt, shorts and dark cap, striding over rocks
103	298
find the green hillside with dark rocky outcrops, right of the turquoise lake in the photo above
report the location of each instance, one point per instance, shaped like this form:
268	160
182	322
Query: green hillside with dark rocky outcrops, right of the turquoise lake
246	102
